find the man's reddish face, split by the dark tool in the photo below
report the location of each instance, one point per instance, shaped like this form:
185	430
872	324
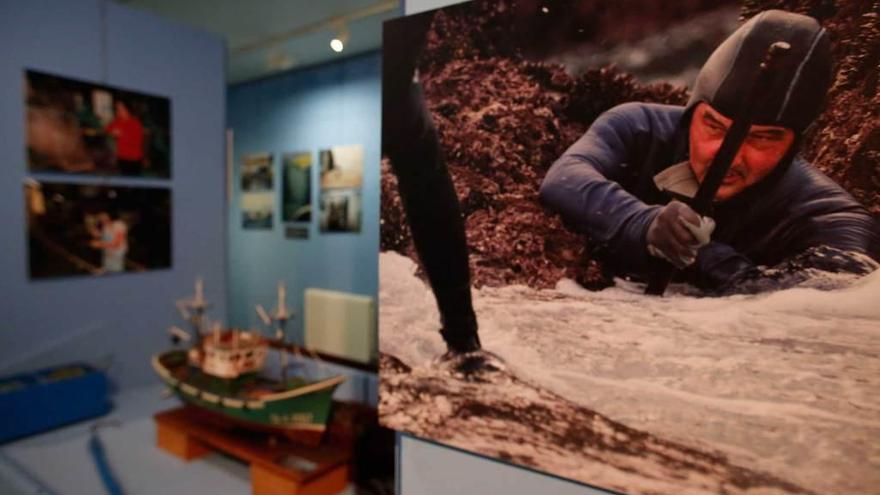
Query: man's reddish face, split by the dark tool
763	148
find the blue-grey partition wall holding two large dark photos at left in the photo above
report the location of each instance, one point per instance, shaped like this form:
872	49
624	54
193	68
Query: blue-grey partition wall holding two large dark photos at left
124	317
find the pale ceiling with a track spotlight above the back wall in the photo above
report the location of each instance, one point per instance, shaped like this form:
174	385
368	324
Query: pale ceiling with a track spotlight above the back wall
265	37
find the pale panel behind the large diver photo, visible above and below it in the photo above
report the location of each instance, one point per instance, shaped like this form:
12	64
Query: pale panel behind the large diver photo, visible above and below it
426	468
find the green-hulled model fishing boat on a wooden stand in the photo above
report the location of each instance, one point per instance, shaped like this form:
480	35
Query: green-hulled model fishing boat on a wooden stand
222	375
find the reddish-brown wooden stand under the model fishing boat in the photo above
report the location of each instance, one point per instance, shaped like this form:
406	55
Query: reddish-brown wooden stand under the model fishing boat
278	467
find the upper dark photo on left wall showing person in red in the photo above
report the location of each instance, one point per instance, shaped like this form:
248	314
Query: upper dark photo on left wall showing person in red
78	127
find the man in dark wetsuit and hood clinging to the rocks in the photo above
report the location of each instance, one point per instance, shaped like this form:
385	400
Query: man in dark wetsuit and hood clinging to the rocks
620	183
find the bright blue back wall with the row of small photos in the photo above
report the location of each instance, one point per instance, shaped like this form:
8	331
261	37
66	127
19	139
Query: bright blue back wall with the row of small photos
306	110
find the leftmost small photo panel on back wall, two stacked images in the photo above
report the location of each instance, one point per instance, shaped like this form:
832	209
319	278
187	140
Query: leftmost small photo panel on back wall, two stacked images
257	191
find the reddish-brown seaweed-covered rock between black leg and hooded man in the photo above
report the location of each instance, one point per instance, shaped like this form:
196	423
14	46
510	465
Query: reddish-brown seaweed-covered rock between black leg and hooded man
503	122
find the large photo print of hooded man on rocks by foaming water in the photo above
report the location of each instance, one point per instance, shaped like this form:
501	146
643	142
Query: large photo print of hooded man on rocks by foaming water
547	164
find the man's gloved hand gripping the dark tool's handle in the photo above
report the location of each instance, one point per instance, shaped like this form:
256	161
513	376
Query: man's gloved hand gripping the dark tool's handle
677	233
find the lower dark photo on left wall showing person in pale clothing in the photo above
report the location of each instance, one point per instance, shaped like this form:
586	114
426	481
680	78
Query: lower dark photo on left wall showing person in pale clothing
79	229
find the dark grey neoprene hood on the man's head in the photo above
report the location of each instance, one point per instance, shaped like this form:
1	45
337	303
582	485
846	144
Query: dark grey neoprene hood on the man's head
797	92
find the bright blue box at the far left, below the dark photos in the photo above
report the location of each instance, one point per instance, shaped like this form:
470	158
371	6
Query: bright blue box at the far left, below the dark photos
51	397
